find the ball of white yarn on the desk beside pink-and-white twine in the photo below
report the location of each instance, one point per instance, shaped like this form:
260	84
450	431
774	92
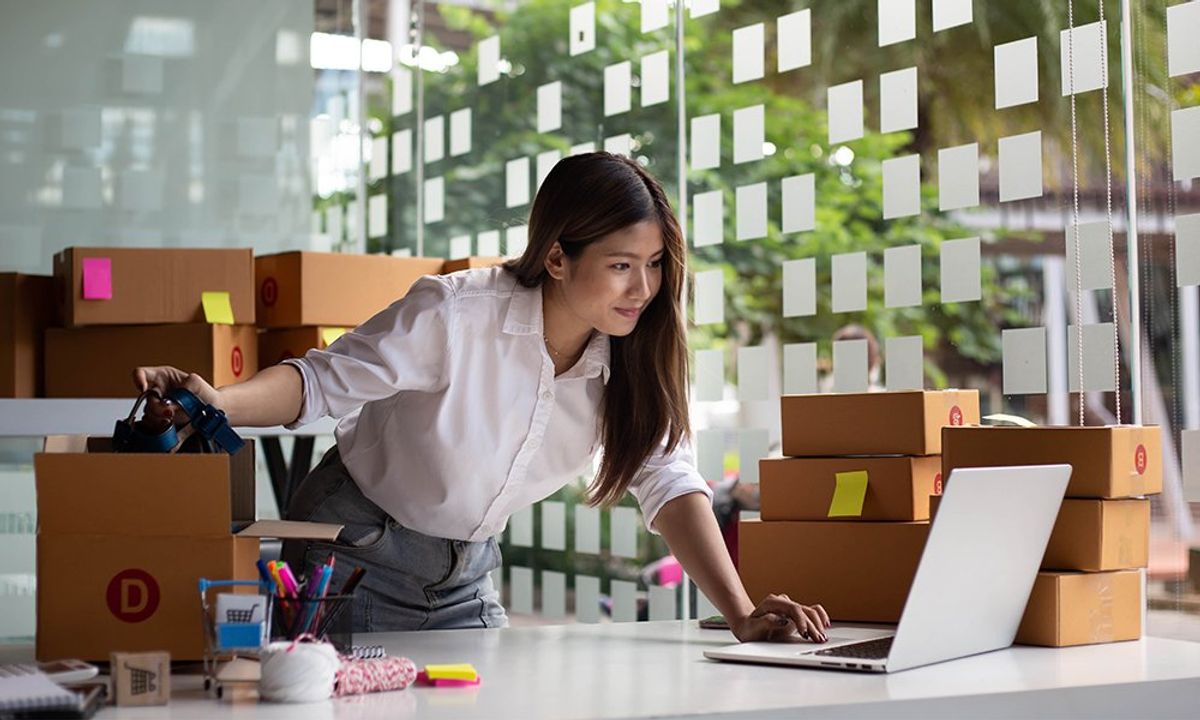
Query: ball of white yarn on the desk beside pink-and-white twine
298	671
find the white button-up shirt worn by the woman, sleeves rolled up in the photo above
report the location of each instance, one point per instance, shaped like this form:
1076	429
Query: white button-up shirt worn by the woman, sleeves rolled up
453	418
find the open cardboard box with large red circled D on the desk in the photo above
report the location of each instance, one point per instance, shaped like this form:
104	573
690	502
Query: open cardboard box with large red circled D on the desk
123	541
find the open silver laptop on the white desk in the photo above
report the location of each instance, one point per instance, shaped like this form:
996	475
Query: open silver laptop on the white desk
971	586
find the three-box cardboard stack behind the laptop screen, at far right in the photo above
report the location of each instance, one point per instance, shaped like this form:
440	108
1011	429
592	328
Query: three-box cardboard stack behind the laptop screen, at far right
1089	590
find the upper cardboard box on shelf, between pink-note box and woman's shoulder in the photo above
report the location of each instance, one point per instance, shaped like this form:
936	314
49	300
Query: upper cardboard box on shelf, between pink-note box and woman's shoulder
325	289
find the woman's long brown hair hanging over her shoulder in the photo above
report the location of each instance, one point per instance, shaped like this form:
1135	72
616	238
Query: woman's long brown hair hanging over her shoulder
584	199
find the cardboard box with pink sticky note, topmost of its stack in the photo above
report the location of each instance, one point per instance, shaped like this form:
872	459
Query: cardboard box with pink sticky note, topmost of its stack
153	285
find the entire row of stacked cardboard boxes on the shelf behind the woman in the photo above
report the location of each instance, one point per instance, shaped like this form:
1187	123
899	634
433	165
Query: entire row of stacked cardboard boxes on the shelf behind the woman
107	311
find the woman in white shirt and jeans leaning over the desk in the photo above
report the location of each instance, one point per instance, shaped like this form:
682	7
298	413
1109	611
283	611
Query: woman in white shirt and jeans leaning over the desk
487	391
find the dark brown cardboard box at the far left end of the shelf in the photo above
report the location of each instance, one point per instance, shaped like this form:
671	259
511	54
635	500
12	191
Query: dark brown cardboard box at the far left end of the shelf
27	309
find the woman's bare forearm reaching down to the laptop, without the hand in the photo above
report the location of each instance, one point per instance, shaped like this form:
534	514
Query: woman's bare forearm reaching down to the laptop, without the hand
691	530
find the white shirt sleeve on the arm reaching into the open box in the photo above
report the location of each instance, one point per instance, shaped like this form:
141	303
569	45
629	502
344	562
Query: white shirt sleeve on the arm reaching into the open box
405	347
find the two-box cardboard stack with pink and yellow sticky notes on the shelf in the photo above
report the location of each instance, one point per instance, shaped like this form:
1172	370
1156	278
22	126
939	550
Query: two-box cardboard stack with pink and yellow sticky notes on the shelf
122	308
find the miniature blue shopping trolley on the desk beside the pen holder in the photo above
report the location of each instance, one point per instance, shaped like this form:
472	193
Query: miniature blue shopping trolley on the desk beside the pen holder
237	626
